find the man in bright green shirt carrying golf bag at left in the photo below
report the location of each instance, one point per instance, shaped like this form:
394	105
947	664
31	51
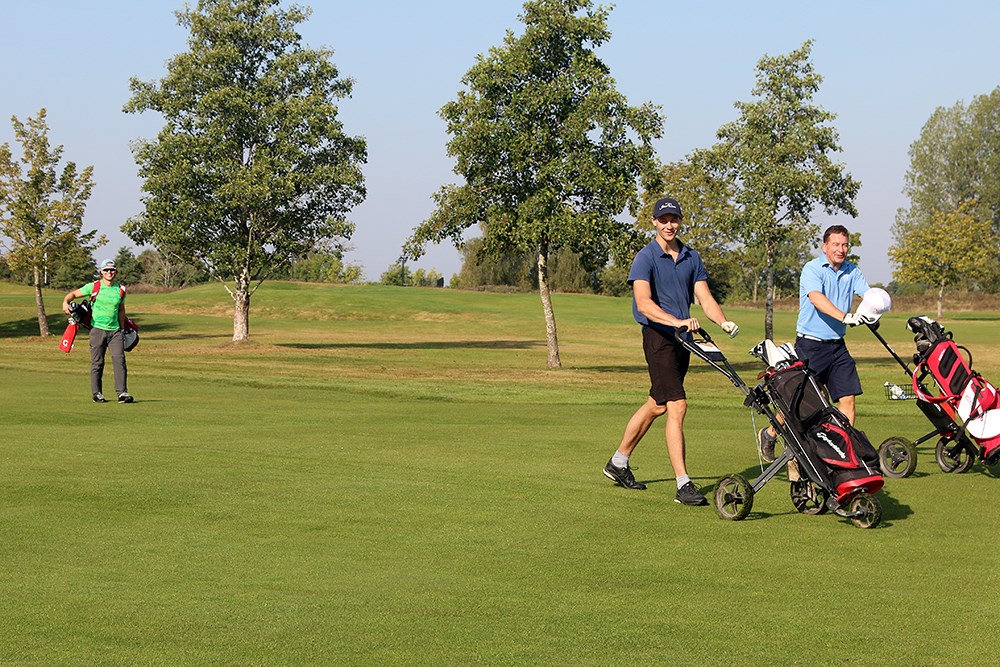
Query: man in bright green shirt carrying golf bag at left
106	330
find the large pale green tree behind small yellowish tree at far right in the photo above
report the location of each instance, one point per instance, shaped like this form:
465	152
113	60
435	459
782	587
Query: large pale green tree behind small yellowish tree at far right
955	165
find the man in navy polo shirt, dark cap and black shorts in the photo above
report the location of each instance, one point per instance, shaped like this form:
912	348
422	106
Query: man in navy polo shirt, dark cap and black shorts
666	276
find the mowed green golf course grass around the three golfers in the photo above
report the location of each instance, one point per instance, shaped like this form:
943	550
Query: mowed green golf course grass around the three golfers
391	476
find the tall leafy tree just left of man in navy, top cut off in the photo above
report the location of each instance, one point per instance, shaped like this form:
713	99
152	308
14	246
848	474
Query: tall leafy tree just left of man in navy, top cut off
549	150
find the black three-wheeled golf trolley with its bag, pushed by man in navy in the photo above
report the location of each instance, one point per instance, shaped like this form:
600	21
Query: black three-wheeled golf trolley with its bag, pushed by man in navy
831	465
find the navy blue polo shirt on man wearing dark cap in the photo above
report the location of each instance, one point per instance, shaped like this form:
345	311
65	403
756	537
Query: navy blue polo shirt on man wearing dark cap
671	283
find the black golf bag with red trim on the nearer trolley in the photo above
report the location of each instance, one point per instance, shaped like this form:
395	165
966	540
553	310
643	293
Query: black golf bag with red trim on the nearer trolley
834	453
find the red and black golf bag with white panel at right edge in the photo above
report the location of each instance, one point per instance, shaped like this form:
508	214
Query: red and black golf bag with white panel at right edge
970	403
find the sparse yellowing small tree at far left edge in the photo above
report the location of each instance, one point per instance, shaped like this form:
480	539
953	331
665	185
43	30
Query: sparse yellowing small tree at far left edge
41	213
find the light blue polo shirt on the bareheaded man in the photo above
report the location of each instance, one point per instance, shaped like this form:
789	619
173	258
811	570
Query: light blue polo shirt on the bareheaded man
838	286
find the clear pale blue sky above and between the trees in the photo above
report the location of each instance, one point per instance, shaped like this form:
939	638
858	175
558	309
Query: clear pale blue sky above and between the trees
886	65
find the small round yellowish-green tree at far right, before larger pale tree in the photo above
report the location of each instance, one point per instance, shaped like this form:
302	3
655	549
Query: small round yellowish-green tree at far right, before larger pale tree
944	251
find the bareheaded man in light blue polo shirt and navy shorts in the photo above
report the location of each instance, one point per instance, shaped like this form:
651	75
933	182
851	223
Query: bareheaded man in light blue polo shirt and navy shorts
826	291
